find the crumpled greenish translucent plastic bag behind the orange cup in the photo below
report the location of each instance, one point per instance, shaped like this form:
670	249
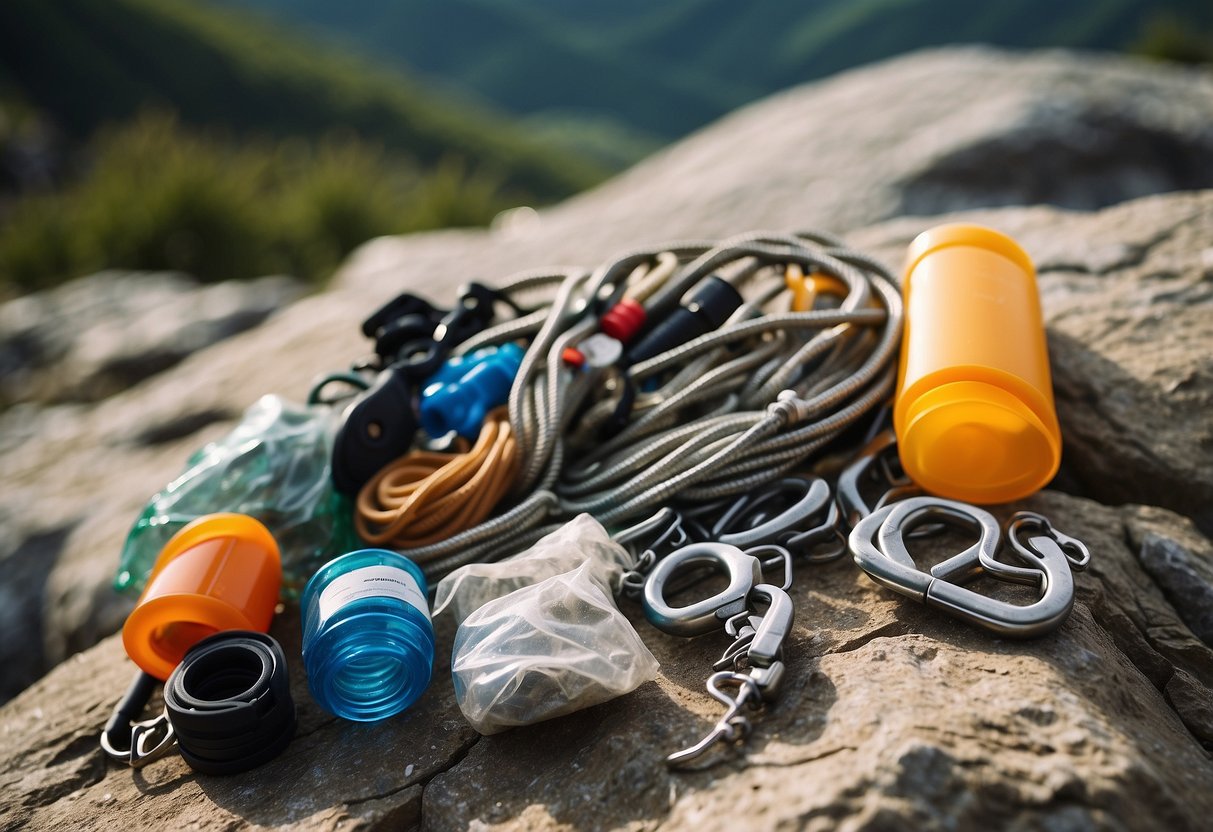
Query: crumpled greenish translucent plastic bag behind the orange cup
274	466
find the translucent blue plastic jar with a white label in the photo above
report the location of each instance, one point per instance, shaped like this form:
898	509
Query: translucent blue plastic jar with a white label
368	641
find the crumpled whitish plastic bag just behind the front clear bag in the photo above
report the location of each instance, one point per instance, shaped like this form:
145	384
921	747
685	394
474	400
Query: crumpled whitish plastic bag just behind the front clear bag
580	540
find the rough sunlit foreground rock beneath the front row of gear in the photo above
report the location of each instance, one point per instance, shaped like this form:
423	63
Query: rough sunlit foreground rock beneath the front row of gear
893	717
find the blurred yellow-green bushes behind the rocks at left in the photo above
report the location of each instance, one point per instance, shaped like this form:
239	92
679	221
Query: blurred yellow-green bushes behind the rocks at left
161	198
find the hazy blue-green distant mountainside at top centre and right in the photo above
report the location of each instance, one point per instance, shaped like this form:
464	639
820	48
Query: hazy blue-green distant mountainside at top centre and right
668	69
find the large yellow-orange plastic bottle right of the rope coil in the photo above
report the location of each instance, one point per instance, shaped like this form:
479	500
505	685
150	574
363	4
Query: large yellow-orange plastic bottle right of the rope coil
975	411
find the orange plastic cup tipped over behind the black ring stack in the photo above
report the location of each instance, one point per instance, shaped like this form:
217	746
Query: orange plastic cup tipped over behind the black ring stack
223	572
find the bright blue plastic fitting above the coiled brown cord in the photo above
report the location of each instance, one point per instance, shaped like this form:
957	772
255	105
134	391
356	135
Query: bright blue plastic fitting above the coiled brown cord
466	389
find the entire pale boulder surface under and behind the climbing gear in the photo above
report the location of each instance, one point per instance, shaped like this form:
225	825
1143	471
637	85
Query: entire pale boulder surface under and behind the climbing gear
893	717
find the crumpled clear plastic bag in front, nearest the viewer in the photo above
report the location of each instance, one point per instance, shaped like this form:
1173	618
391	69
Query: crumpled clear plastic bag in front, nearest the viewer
544	652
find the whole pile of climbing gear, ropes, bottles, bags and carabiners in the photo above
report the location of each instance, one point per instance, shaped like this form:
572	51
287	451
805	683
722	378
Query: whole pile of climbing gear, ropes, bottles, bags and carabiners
574	446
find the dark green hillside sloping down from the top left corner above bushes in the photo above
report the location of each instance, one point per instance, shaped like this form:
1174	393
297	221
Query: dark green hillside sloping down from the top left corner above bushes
88	62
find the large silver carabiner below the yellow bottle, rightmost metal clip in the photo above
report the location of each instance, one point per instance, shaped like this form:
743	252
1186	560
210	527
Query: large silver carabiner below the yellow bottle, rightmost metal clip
890	565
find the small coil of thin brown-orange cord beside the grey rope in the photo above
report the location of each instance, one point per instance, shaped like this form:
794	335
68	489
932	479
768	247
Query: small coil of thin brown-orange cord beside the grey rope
425	498
